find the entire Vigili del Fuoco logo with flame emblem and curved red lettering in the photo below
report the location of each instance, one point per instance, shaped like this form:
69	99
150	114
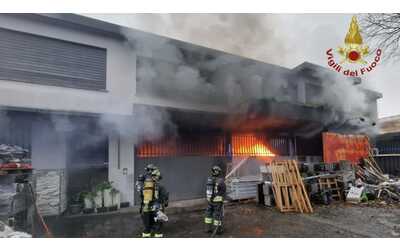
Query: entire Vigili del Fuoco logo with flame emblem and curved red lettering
354	52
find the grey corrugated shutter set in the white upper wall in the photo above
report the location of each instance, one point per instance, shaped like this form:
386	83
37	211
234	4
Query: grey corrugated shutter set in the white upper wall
41	60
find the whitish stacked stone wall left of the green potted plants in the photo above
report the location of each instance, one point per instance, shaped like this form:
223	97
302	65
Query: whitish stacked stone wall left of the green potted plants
51	195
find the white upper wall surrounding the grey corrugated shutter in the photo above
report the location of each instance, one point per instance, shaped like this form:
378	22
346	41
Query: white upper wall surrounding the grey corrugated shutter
121	79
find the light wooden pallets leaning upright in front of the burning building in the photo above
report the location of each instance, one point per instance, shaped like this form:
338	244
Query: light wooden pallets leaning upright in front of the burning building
288	187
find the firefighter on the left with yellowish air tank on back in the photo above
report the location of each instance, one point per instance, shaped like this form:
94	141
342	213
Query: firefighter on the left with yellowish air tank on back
154	201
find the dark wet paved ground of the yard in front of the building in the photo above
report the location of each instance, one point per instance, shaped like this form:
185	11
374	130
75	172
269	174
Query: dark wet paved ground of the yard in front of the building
247	220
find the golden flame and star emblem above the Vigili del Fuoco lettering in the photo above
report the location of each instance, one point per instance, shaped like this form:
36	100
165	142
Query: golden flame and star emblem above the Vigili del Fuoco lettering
354	50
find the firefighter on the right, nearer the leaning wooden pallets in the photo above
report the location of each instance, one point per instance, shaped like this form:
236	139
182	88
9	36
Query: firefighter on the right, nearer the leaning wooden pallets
215	196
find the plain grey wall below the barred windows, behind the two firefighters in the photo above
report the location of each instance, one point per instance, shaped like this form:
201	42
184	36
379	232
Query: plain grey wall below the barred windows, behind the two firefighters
184	176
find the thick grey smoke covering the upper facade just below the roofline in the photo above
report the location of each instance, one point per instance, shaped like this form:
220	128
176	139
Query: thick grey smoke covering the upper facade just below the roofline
166	70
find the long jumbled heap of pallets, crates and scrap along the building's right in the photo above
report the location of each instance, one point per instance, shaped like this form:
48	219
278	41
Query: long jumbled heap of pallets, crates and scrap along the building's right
326	183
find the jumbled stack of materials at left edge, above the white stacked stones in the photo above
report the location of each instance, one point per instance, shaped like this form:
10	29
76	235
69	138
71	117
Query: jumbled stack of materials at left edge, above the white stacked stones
14	157
